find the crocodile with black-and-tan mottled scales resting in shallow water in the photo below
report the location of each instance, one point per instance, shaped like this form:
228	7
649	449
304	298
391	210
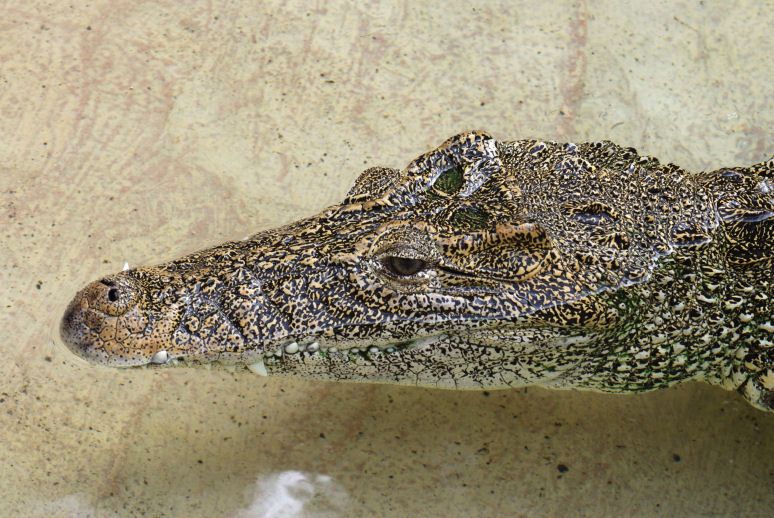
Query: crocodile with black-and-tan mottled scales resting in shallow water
483	264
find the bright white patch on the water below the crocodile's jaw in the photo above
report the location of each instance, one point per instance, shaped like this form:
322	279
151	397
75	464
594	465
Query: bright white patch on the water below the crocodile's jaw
290	494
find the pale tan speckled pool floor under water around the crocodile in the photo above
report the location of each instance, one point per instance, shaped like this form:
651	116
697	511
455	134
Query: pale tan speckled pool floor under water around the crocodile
138	131
